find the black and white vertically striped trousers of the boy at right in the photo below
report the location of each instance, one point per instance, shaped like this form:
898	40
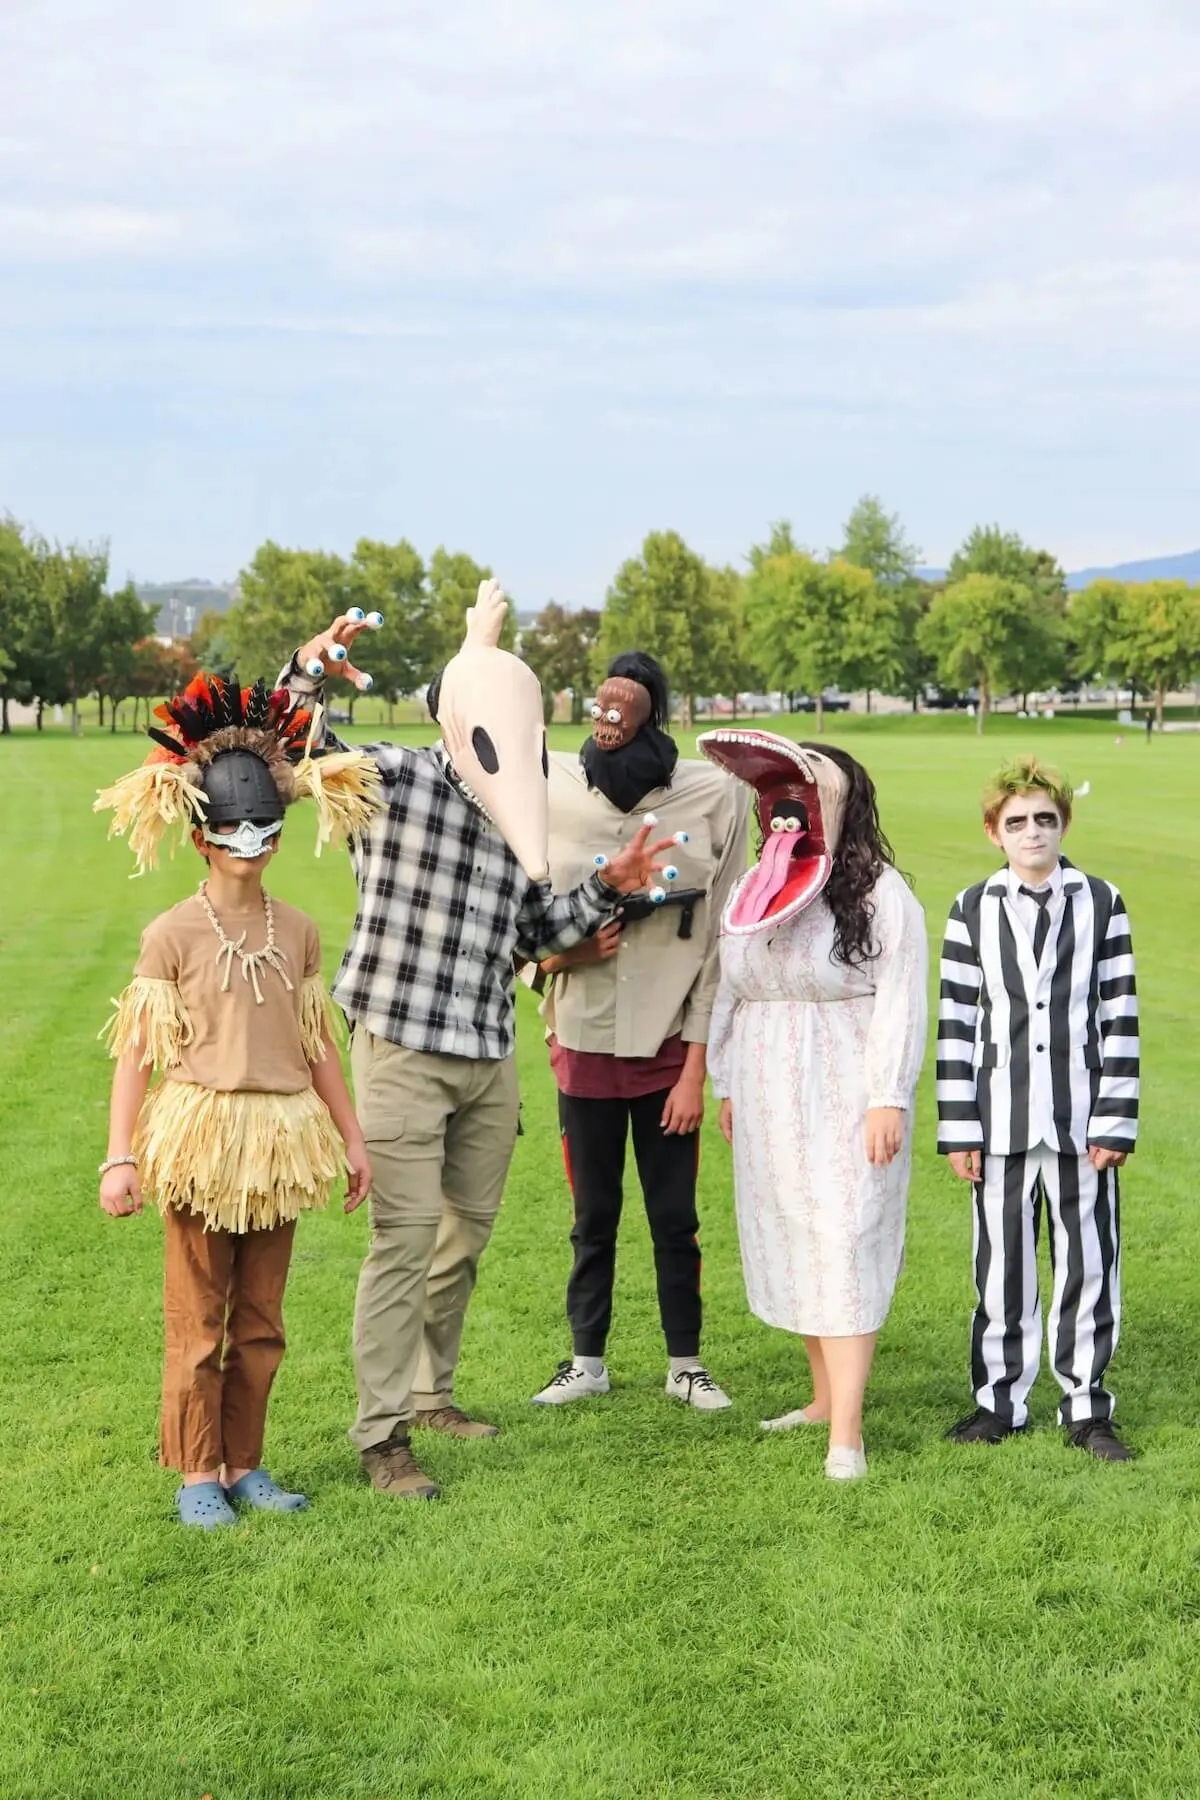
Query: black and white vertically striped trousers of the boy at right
1086	1302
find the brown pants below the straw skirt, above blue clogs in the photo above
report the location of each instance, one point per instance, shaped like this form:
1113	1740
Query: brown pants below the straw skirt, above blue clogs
222	1300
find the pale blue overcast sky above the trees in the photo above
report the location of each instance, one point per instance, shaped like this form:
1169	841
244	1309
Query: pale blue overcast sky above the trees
537	276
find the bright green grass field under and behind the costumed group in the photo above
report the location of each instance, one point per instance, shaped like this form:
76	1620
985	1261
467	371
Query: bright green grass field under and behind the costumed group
622	1599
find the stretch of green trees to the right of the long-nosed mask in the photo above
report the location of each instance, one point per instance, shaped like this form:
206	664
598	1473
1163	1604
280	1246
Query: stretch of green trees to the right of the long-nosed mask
859	618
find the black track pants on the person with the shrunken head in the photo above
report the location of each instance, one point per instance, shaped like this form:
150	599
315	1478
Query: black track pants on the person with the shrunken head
595	1137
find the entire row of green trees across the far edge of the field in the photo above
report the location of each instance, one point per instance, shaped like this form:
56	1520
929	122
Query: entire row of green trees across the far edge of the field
857	618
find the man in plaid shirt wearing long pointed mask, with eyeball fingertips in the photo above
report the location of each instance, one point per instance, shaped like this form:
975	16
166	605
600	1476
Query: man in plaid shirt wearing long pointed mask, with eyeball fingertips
427	984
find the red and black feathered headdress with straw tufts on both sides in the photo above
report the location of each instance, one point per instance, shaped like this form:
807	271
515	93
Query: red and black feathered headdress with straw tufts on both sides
210	719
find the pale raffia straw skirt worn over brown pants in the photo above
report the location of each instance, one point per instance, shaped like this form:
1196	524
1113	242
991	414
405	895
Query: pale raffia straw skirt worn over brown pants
244	1162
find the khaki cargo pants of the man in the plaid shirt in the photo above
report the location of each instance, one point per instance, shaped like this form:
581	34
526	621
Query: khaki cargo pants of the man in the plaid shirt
442	1135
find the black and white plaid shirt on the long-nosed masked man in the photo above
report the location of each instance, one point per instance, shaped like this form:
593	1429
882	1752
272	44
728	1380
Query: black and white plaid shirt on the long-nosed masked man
443	908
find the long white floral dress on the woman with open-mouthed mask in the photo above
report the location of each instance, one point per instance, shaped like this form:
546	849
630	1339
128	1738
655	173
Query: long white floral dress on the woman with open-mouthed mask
803	1047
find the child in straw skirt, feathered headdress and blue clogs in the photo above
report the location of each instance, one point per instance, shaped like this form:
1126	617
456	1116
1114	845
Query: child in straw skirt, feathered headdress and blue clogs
251	1119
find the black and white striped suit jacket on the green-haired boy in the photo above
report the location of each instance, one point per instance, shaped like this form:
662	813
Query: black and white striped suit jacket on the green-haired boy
1037	1056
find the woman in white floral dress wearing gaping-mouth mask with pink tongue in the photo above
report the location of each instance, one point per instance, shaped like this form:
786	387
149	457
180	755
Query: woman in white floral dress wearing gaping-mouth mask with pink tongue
816	1047
